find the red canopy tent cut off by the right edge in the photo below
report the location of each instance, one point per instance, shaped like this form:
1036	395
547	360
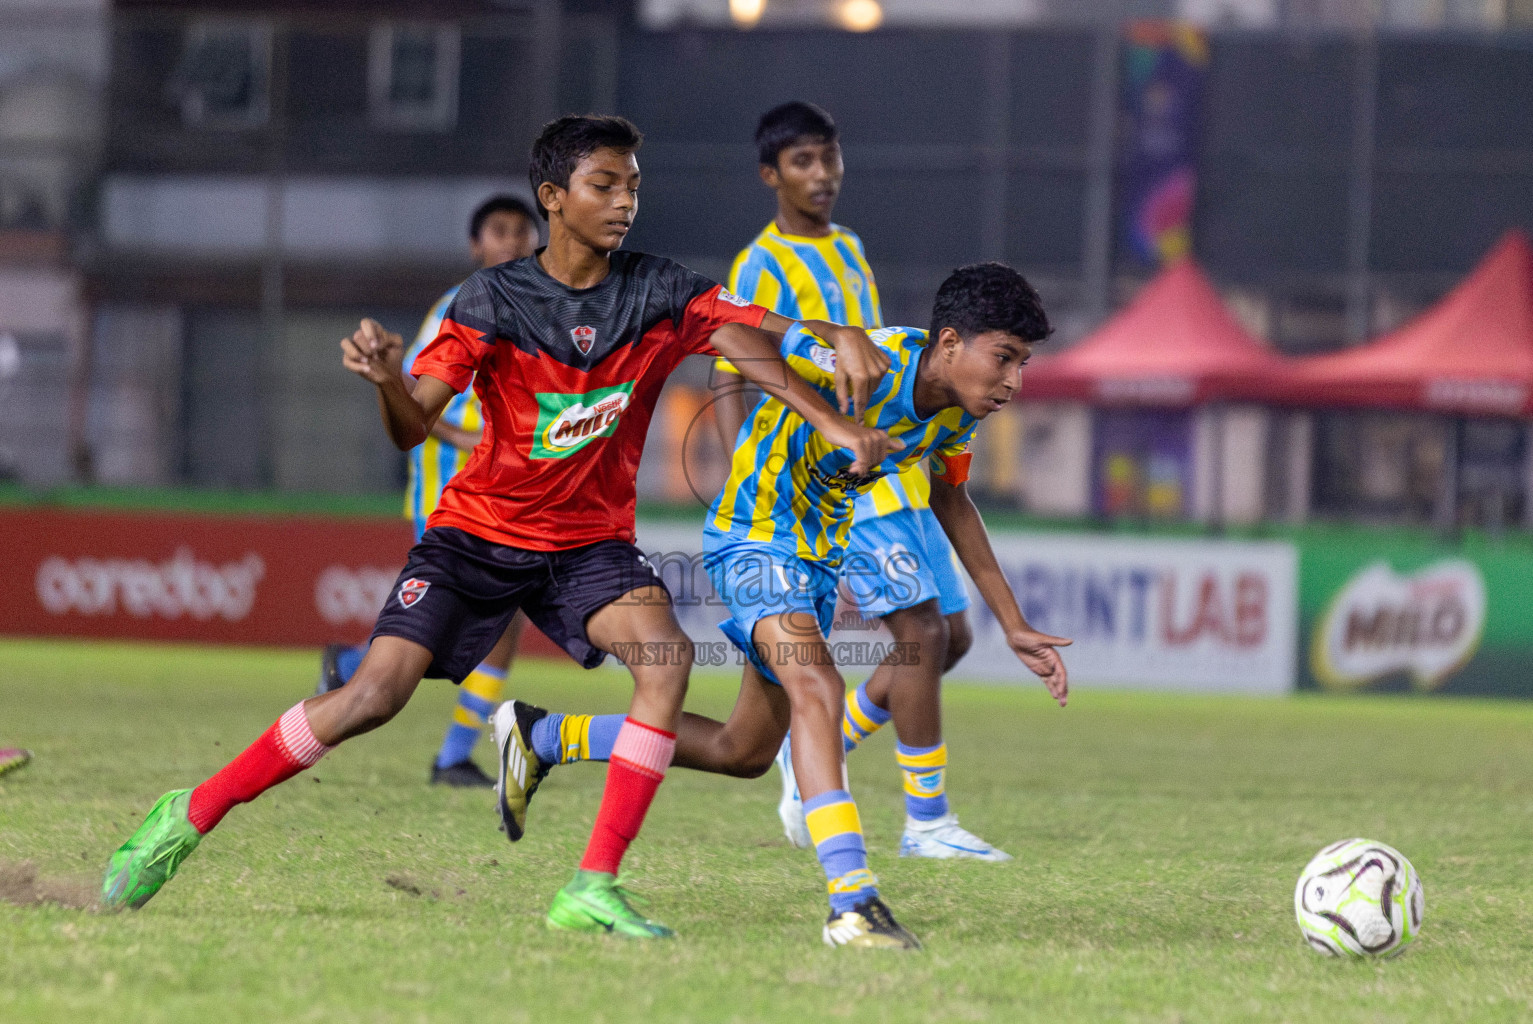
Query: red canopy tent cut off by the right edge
1471	355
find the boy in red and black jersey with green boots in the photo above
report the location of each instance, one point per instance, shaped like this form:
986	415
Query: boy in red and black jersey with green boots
568	352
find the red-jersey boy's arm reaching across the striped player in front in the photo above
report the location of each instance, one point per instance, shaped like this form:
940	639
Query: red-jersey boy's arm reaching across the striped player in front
755	352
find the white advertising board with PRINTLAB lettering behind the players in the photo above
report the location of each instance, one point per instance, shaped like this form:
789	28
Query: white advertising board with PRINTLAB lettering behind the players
1197	615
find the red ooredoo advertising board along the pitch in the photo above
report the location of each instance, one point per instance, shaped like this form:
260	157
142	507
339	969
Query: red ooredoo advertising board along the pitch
202	579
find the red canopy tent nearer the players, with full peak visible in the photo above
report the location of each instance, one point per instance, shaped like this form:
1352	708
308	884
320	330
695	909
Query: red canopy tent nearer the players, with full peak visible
1174	346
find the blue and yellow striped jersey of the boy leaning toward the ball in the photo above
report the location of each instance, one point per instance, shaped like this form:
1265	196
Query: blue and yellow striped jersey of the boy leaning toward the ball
789	487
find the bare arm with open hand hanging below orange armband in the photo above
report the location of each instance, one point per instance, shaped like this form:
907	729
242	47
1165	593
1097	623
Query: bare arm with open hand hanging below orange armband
962	522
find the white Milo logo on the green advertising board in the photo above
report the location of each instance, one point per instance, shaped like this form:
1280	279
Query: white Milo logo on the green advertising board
1426	625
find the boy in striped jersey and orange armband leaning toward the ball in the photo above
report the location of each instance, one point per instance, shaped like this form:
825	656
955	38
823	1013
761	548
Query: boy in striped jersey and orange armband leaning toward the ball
775	546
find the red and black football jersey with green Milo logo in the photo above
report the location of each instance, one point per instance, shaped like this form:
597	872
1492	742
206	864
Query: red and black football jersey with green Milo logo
568	381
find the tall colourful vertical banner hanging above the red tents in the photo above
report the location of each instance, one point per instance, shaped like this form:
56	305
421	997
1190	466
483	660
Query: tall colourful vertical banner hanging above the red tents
1164	70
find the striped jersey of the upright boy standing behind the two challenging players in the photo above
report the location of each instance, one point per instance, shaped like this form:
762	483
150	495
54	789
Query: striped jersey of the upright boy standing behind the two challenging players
824	280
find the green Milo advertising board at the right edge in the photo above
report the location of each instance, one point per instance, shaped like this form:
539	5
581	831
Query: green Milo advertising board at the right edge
1391	611
